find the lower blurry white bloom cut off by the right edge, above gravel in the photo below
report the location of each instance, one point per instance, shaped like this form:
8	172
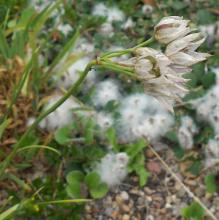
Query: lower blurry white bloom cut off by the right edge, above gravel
212	153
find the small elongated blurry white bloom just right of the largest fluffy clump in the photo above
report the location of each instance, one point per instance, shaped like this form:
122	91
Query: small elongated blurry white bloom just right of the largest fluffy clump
186	132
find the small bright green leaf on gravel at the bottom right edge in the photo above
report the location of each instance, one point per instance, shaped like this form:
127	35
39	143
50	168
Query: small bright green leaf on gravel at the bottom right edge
193	212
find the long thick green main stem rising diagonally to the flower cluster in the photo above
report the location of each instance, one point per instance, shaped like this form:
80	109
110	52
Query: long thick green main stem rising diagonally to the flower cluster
19	144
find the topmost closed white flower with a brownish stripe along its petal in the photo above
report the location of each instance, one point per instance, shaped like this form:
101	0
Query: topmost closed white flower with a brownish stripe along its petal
171	28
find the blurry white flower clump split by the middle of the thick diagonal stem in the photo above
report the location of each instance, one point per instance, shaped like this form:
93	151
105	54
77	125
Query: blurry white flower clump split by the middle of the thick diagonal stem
62	116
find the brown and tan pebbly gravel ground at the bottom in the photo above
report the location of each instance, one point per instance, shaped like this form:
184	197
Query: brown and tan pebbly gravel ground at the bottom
161	199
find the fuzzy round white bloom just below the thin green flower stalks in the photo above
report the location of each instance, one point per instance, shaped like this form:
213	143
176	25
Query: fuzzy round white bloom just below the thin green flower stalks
106	91
